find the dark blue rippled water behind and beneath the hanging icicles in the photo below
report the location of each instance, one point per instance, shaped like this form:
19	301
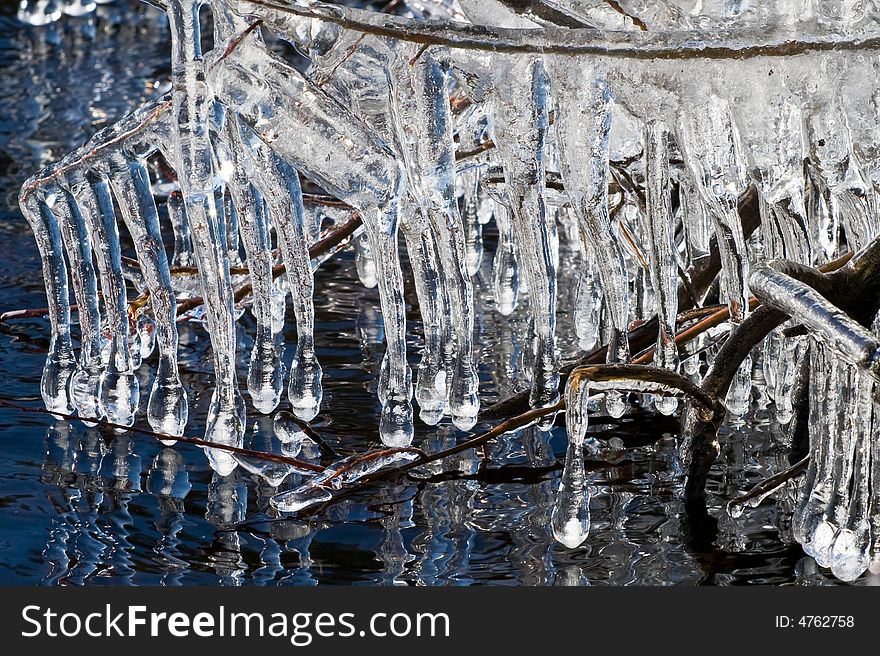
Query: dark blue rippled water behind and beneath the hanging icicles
79	507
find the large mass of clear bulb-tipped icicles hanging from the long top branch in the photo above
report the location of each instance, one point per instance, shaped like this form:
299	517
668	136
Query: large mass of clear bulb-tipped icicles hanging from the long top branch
644	158
